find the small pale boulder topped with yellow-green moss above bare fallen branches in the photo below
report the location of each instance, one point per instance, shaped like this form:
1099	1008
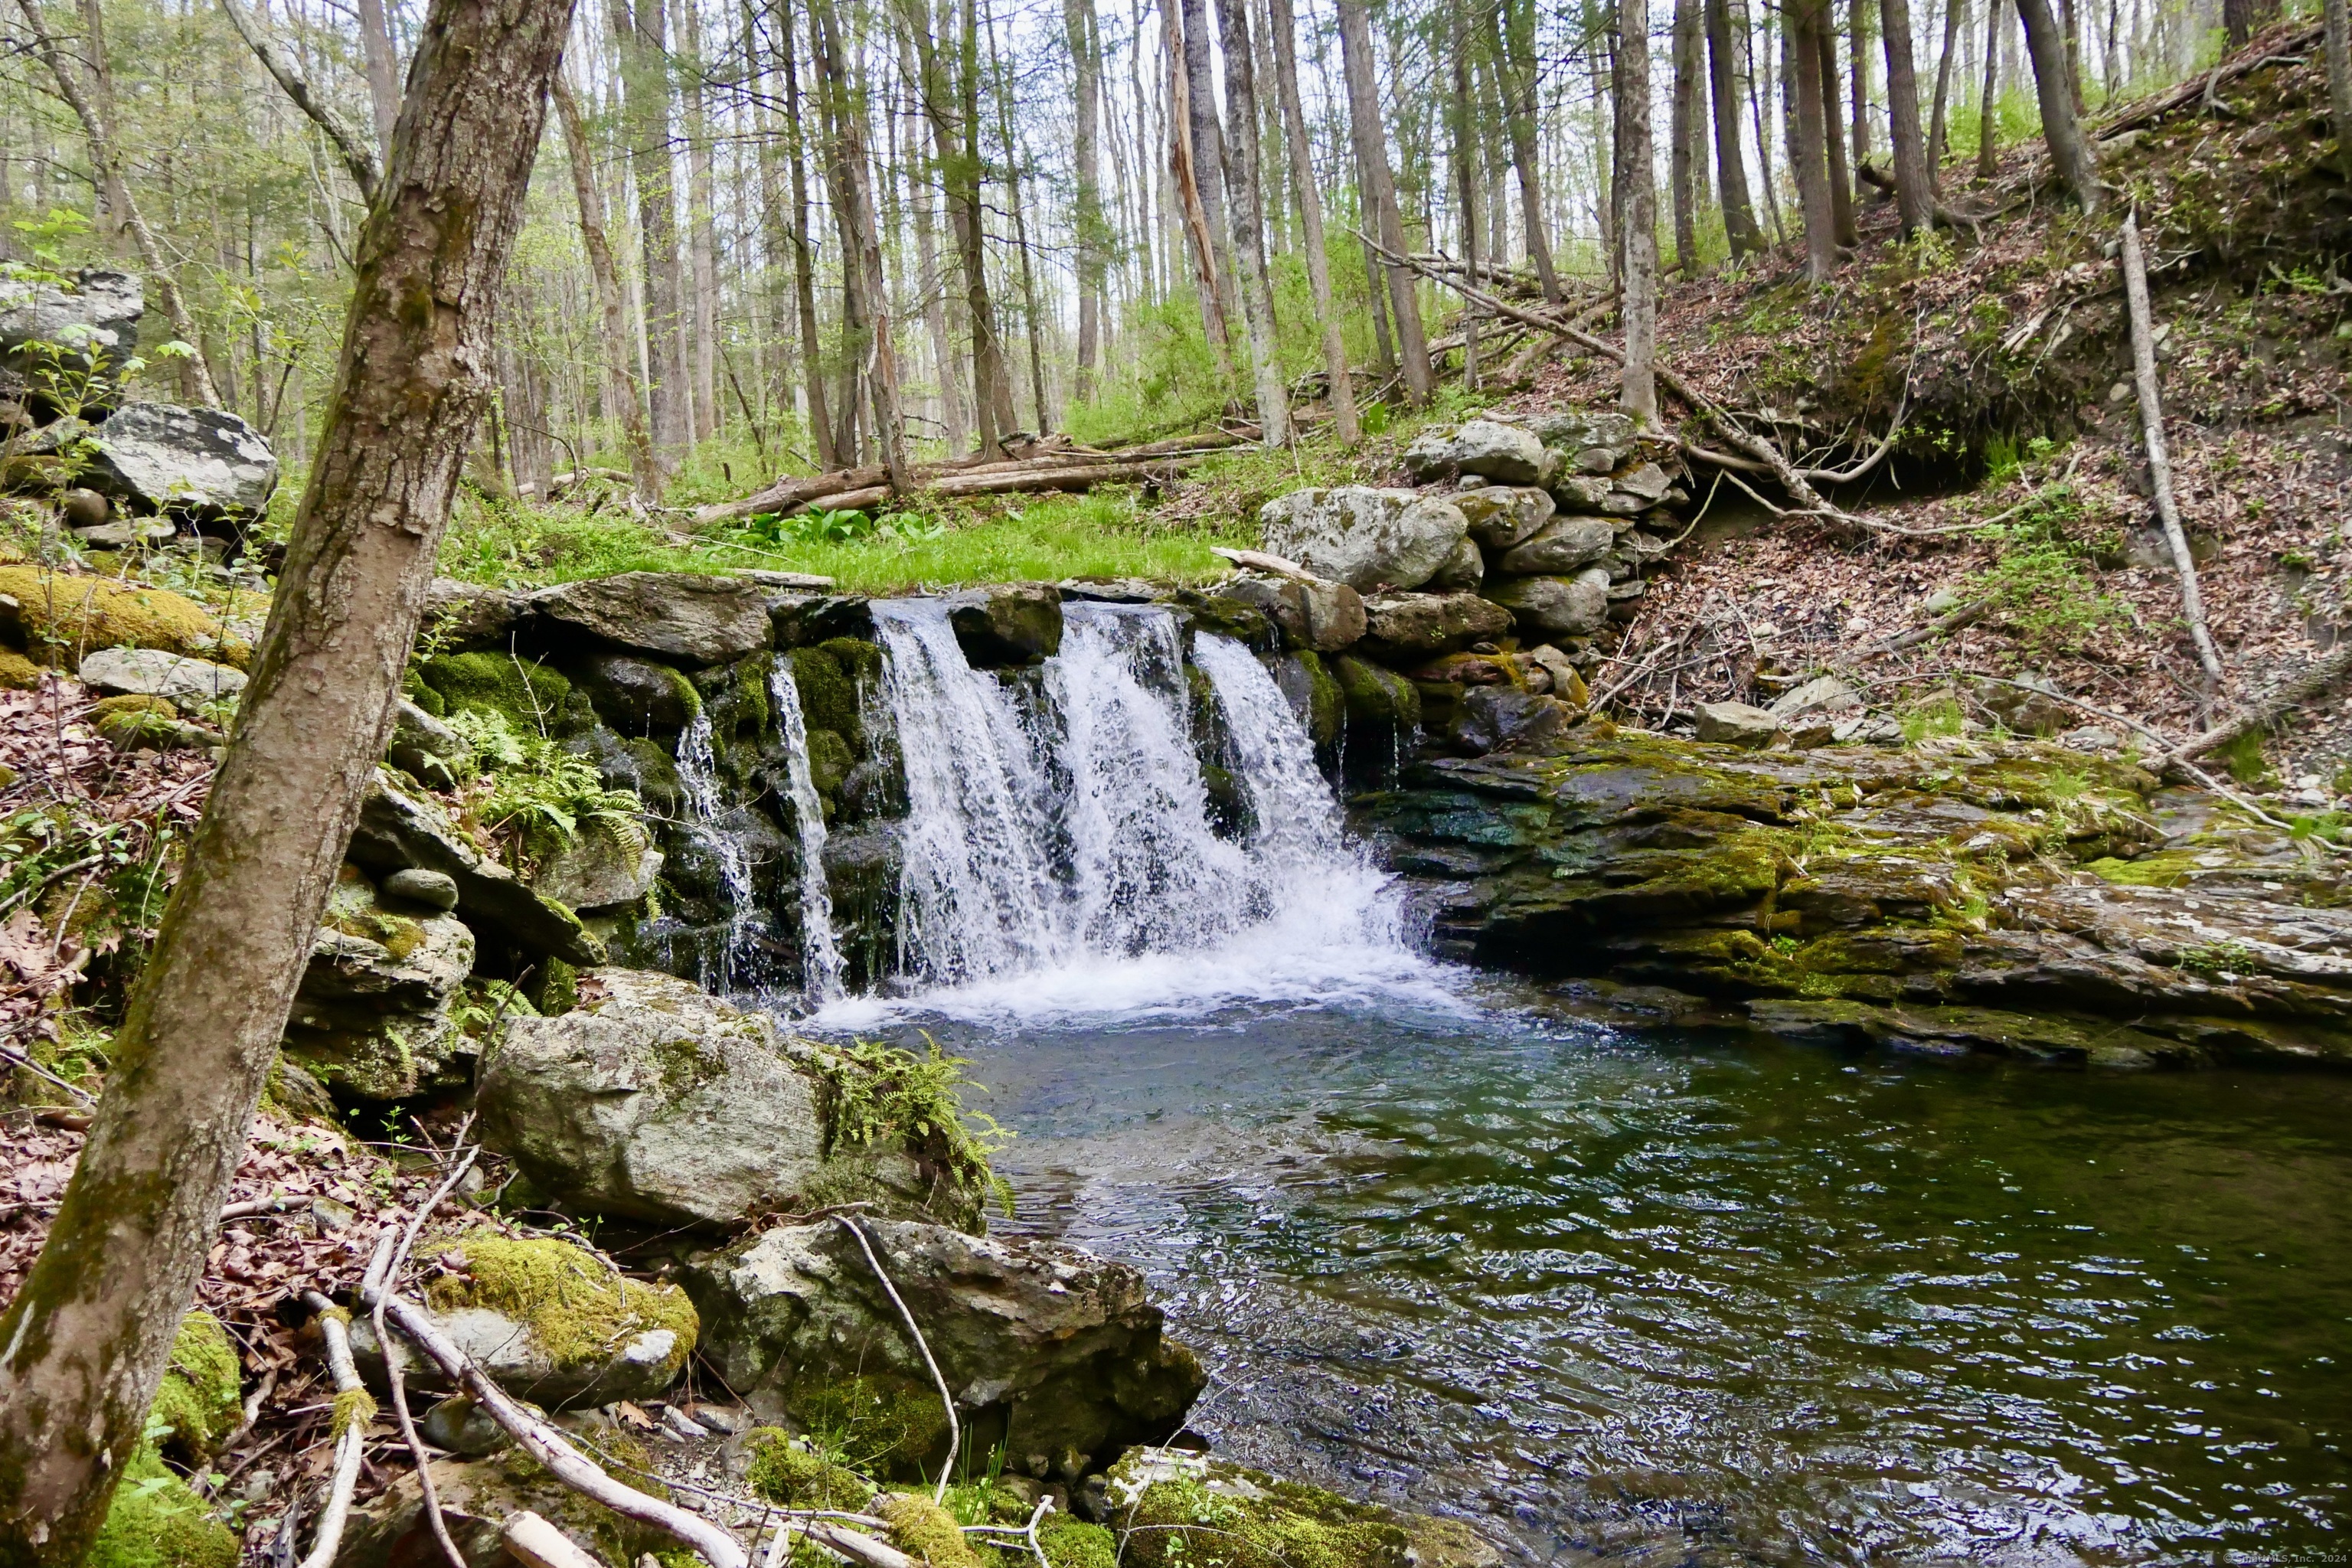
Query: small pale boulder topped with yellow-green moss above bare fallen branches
552	1322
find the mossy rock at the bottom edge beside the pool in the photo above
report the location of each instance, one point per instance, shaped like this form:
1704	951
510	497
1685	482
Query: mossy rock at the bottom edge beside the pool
1187	1510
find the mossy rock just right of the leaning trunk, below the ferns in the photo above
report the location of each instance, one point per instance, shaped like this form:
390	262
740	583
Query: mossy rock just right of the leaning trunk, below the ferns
373	1012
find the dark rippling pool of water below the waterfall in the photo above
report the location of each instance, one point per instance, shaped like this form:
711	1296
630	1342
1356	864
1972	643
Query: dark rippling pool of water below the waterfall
1692	1304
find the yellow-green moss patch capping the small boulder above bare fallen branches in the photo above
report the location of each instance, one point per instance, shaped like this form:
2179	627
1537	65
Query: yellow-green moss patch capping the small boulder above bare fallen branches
573	1301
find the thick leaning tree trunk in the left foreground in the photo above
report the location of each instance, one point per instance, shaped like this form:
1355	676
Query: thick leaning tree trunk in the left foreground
91	1332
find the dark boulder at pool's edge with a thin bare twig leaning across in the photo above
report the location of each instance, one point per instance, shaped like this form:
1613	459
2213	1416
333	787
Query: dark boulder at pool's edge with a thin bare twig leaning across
1064	1343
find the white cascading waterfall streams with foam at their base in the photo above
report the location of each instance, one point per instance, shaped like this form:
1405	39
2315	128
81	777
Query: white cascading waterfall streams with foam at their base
1062	862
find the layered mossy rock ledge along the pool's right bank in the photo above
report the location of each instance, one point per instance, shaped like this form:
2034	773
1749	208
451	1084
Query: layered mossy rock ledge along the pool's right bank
1958	897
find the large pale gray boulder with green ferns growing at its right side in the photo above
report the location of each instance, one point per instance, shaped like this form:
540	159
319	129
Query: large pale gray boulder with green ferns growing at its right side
660	1104
